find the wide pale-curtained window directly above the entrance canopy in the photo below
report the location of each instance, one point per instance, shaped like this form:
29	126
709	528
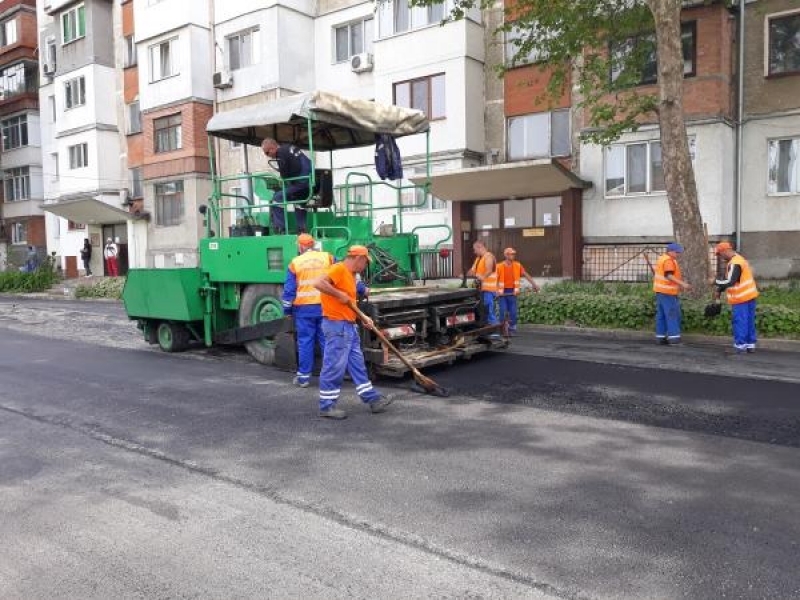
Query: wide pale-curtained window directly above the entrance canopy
539	135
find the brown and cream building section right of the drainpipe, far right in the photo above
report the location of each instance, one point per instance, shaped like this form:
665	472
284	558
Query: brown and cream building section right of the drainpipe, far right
769	213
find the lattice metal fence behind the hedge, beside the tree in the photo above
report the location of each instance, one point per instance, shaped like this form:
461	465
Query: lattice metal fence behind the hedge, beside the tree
626	262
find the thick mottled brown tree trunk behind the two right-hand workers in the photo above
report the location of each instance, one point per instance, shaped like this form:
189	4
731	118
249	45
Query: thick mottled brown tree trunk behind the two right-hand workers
687	222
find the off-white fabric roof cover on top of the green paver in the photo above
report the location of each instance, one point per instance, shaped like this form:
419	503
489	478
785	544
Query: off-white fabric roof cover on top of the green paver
337	122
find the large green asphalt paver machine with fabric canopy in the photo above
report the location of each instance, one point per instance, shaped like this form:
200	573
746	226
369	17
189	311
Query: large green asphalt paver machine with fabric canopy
234	296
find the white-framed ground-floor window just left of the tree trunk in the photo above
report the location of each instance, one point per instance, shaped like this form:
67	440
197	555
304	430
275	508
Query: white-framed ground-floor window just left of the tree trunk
634	168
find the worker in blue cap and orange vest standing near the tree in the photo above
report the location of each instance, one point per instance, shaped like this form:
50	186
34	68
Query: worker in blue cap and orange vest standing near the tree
667	285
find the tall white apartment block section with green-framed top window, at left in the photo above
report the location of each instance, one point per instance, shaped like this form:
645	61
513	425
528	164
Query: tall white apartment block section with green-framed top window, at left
84	185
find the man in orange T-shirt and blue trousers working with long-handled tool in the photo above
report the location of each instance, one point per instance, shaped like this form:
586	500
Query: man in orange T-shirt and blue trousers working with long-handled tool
342	341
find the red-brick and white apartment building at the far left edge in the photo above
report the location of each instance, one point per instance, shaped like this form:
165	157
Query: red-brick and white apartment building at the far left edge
22	221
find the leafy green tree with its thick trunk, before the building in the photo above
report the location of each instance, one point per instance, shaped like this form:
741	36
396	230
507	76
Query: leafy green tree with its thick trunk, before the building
605	50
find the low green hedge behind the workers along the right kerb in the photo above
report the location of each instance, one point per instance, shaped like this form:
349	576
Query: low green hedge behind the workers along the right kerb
632	306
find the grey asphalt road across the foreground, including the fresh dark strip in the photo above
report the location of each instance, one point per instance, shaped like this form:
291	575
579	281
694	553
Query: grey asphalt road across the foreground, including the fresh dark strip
569	467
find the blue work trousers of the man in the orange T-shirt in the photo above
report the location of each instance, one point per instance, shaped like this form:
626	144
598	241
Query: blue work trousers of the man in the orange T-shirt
343	353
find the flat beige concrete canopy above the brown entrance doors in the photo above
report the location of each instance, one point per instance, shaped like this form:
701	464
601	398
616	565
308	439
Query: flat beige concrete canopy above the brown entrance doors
544	177
